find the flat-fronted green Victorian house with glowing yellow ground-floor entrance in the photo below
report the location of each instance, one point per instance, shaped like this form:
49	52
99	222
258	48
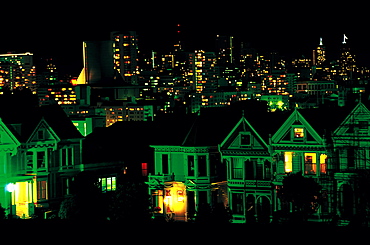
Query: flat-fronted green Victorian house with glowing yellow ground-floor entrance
189	174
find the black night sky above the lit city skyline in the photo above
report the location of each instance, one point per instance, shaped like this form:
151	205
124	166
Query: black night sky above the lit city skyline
58	31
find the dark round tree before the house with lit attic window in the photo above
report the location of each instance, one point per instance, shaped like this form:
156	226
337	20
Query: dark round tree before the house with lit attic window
303	193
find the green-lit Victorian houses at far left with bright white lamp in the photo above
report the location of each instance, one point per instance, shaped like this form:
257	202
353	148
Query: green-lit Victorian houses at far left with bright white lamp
41	152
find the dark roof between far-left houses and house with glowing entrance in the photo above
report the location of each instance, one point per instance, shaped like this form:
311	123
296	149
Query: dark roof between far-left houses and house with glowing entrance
131	140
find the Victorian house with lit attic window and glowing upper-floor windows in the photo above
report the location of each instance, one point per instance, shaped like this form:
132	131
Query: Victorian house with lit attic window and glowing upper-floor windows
298	147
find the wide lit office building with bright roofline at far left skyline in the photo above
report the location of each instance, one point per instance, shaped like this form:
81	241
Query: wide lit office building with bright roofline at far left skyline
17	70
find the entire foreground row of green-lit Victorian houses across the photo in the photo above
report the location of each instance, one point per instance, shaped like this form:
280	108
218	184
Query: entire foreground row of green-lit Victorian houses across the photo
237	156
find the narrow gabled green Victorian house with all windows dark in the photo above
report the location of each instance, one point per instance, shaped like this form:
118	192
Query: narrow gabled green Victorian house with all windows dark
250	169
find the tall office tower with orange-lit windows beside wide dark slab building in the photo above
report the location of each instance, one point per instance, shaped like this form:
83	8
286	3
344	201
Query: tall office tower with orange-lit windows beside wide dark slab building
125	54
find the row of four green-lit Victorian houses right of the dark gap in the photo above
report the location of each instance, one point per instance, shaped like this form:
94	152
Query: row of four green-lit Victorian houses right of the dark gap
240	158
